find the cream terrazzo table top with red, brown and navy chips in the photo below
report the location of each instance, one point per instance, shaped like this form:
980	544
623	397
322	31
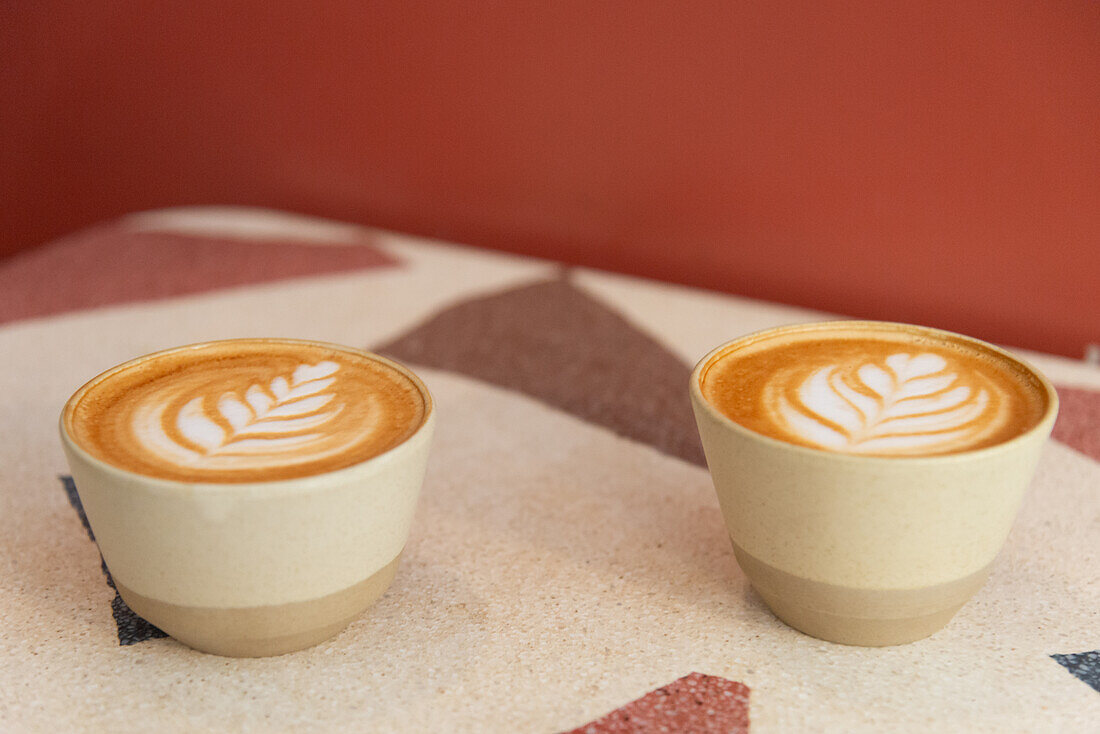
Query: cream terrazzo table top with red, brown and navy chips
568	569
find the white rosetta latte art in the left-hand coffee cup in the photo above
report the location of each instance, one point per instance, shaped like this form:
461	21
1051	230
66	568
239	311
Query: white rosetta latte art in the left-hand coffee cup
280	423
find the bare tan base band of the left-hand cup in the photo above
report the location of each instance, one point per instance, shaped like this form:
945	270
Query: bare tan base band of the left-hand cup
262	631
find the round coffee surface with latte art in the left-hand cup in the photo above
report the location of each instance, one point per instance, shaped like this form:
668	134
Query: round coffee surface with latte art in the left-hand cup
246	411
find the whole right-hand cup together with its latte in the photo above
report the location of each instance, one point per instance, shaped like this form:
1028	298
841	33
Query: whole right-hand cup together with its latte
868	473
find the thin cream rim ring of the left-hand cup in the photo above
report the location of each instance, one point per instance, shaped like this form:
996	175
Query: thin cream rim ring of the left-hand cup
295	484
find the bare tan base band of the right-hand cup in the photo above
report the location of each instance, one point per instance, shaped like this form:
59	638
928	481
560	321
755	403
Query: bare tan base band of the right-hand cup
859	617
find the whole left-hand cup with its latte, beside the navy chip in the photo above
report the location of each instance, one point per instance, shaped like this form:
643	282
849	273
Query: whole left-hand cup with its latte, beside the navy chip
251	497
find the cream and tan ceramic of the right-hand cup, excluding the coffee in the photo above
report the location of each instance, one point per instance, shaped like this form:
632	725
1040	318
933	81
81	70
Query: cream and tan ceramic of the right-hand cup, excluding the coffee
860	550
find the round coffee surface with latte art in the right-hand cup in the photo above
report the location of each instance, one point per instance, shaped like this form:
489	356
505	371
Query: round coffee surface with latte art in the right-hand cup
882	391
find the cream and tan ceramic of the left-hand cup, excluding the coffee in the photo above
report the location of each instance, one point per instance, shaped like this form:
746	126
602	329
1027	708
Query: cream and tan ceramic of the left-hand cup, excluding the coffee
255	569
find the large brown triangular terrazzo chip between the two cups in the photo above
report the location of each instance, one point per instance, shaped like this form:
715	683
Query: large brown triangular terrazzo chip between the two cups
560	346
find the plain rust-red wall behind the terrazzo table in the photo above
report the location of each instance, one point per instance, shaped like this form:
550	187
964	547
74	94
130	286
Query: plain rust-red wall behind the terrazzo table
932	162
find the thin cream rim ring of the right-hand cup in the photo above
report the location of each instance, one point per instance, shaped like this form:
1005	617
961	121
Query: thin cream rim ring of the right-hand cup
1043	425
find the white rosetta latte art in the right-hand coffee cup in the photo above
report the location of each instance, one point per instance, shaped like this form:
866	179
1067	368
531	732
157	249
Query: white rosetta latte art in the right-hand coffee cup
904	404
